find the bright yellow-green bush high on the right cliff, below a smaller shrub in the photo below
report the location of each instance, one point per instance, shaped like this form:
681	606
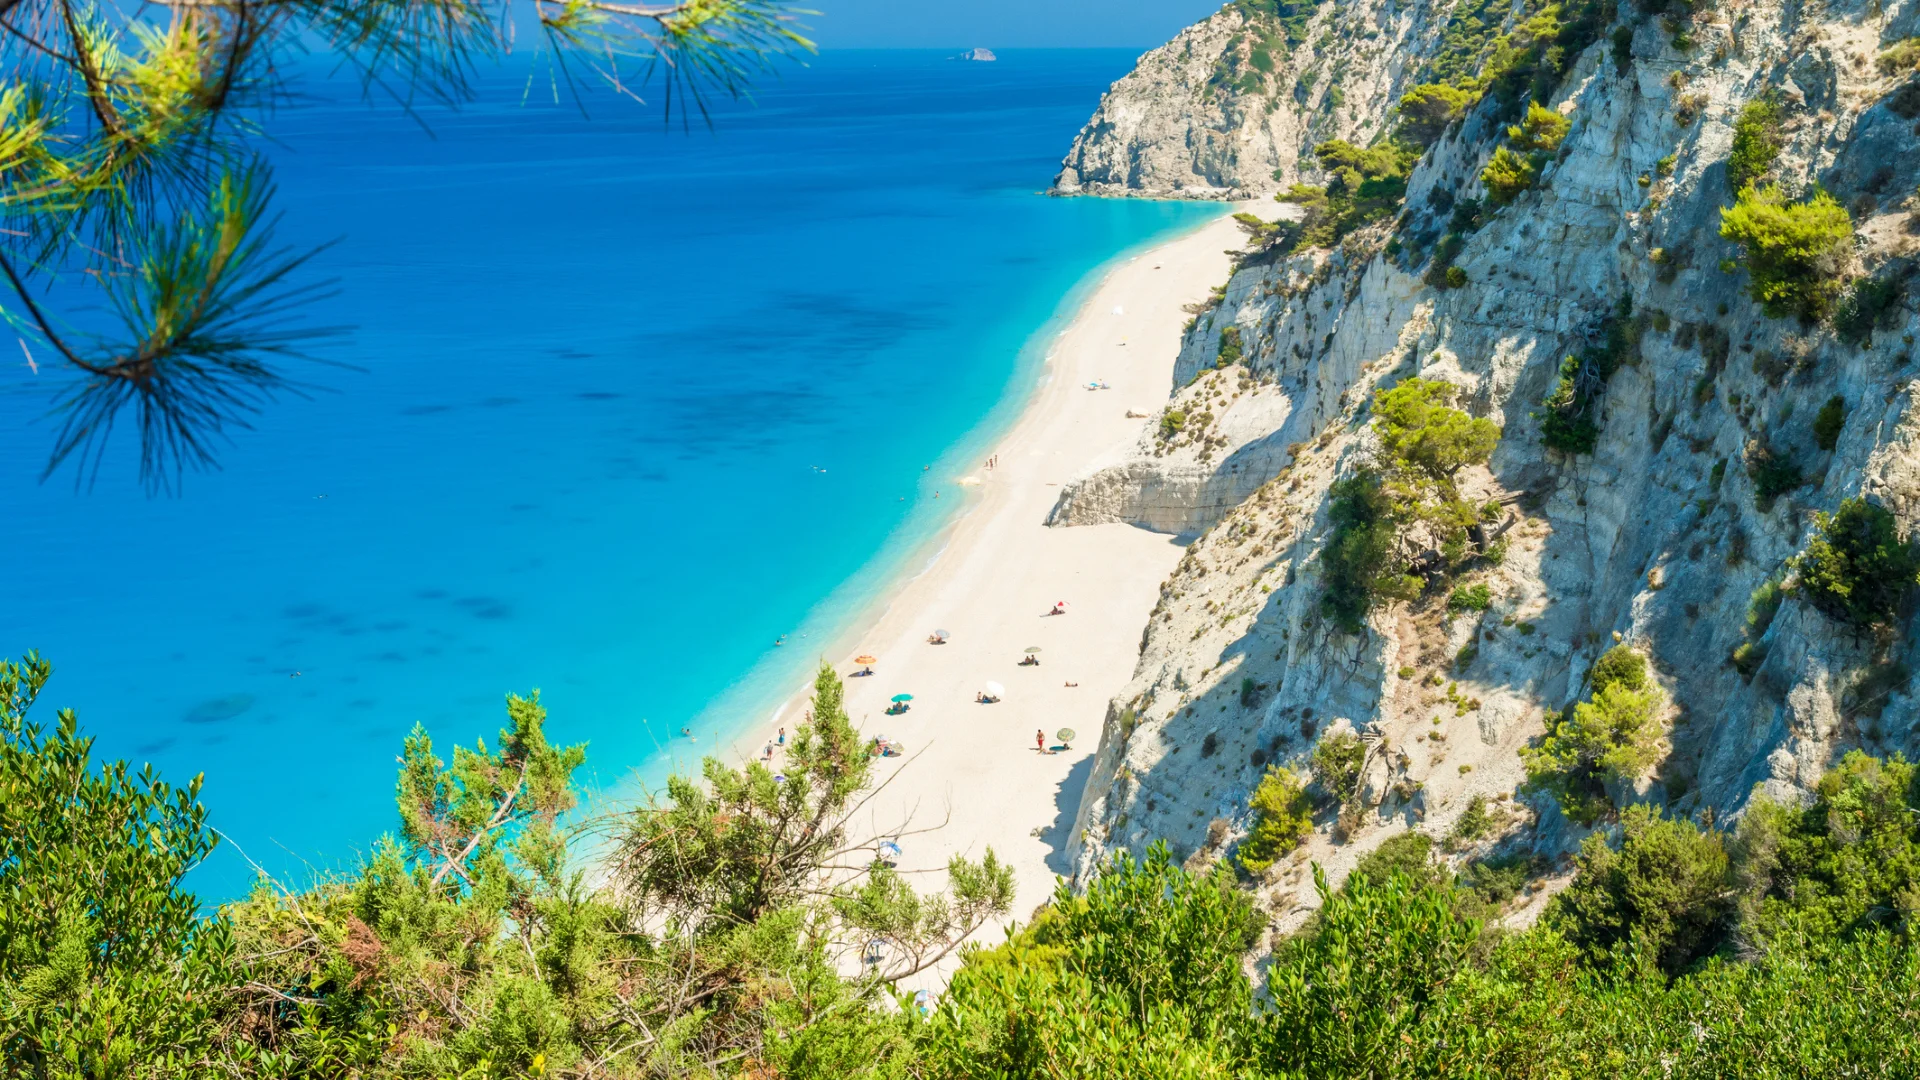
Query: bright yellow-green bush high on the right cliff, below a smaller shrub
1794	253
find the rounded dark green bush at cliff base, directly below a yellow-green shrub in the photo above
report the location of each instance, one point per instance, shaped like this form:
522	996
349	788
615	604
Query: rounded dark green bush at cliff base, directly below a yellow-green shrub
1664	891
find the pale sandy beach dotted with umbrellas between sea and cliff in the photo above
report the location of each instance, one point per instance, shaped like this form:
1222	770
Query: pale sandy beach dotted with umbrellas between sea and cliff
971	768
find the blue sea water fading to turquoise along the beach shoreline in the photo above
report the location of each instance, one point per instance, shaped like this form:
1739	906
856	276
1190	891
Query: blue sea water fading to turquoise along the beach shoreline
629	405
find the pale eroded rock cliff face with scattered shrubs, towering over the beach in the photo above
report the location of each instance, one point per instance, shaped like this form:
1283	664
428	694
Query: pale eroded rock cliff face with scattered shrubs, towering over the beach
1656	539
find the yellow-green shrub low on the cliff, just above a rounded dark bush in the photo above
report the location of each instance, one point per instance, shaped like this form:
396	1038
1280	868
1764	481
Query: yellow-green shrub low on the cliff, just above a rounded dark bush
1612	739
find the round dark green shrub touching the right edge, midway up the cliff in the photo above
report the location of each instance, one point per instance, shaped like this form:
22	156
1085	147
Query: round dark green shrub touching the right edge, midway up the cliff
1856	568
